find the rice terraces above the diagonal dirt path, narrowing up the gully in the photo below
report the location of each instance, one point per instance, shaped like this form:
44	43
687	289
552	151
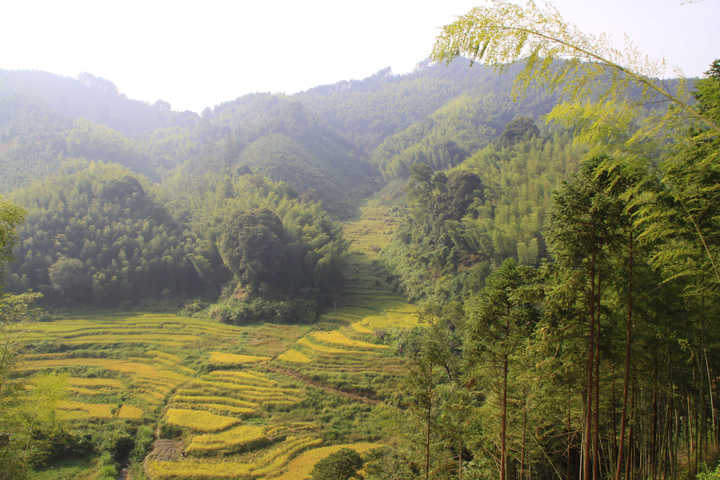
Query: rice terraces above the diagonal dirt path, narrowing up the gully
351	356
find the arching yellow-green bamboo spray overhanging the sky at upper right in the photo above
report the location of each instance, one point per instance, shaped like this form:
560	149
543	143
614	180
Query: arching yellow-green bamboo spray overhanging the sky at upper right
590	68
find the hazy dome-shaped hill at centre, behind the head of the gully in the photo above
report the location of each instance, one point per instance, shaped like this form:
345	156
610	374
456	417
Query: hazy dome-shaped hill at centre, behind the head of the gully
280	138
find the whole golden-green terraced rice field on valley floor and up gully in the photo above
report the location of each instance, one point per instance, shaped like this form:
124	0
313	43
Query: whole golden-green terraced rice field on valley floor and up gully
239	399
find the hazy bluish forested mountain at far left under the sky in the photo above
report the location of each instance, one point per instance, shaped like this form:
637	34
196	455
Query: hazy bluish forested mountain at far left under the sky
45	118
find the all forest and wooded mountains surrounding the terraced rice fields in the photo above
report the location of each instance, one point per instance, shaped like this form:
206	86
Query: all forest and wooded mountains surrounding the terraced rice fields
556	226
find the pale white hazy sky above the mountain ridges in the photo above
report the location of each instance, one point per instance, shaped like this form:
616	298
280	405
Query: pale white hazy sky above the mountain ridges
200	53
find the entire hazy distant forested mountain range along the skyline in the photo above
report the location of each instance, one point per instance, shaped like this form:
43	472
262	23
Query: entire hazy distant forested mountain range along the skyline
331	142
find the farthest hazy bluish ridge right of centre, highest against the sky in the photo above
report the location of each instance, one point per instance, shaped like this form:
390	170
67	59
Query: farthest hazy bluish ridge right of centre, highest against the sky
370	110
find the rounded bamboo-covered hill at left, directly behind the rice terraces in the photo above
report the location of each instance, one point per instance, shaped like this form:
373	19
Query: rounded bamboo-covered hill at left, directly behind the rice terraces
98	236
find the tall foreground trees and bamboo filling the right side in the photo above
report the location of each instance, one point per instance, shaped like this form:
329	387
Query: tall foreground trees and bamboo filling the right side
601	360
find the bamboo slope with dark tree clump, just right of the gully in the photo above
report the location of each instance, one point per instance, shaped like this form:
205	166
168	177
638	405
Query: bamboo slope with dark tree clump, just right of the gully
493	206
